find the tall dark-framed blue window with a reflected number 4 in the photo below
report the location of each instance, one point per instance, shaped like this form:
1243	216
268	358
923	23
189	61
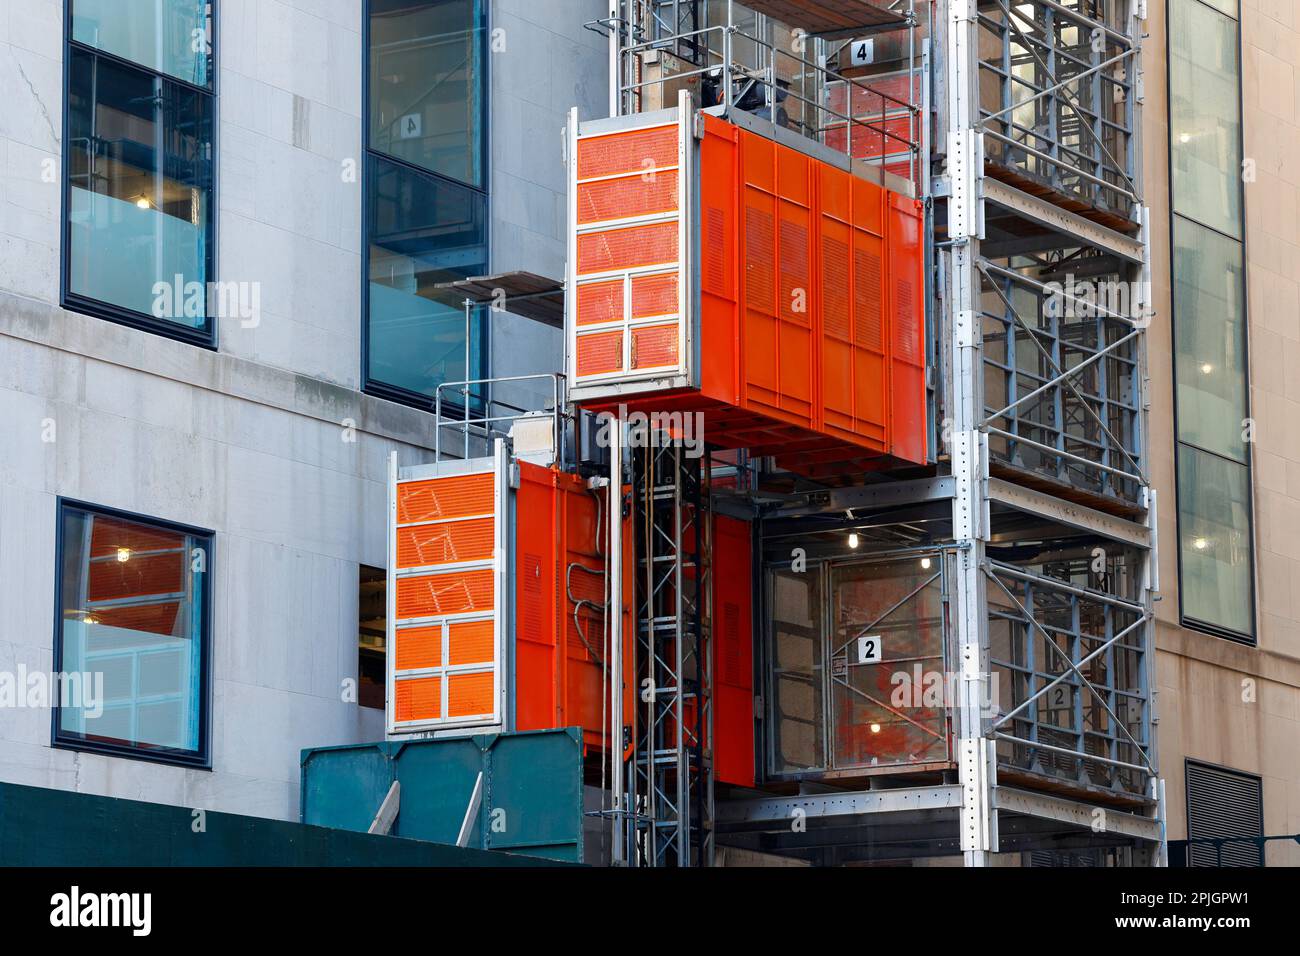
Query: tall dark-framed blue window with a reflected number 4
427	207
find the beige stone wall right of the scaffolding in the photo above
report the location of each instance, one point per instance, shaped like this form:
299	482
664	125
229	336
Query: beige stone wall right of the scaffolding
1221	703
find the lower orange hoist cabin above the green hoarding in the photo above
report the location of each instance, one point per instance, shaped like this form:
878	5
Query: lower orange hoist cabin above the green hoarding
497	599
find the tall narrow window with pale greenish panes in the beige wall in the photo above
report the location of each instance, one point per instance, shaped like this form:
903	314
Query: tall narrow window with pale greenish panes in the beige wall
1211	373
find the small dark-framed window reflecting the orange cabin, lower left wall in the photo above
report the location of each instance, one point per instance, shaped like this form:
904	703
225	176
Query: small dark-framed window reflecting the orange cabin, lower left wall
135	603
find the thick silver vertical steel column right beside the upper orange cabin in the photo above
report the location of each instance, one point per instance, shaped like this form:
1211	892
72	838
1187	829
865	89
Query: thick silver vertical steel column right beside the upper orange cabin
967	405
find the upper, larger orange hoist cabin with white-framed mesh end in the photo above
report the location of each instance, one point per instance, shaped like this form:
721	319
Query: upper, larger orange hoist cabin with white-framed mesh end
740	271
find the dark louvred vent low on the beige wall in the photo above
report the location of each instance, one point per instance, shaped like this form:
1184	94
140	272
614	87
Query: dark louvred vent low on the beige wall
1224	804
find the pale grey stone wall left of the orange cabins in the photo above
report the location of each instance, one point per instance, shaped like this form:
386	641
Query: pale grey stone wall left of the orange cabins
249	442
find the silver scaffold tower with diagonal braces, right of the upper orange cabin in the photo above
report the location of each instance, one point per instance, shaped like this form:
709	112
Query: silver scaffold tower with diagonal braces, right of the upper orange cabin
1089	384
